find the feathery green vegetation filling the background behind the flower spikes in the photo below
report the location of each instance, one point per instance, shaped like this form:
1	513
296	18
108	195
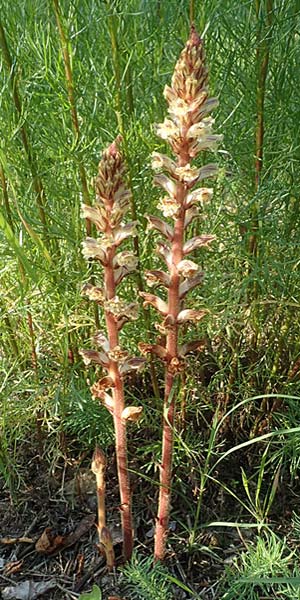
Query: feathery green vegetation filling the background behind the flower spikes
239	402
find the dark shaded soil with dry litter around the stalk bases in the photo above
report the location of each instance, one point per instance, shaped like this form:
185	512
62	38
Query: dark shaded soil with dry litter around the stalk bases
58	497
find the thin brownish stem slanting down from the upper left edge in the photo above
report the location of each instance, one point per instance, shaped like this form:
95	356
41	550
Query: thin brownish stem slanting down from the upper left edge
36	180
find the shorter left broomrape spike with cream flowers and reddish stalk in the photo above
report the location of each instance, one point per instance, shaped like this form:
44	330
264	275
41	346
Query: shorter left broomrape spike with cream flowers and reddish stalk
112	203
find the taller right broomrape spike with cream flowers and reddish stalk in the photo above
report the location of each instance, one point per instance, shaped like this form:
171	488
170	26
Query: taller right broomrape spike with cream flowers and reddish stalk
188	130
